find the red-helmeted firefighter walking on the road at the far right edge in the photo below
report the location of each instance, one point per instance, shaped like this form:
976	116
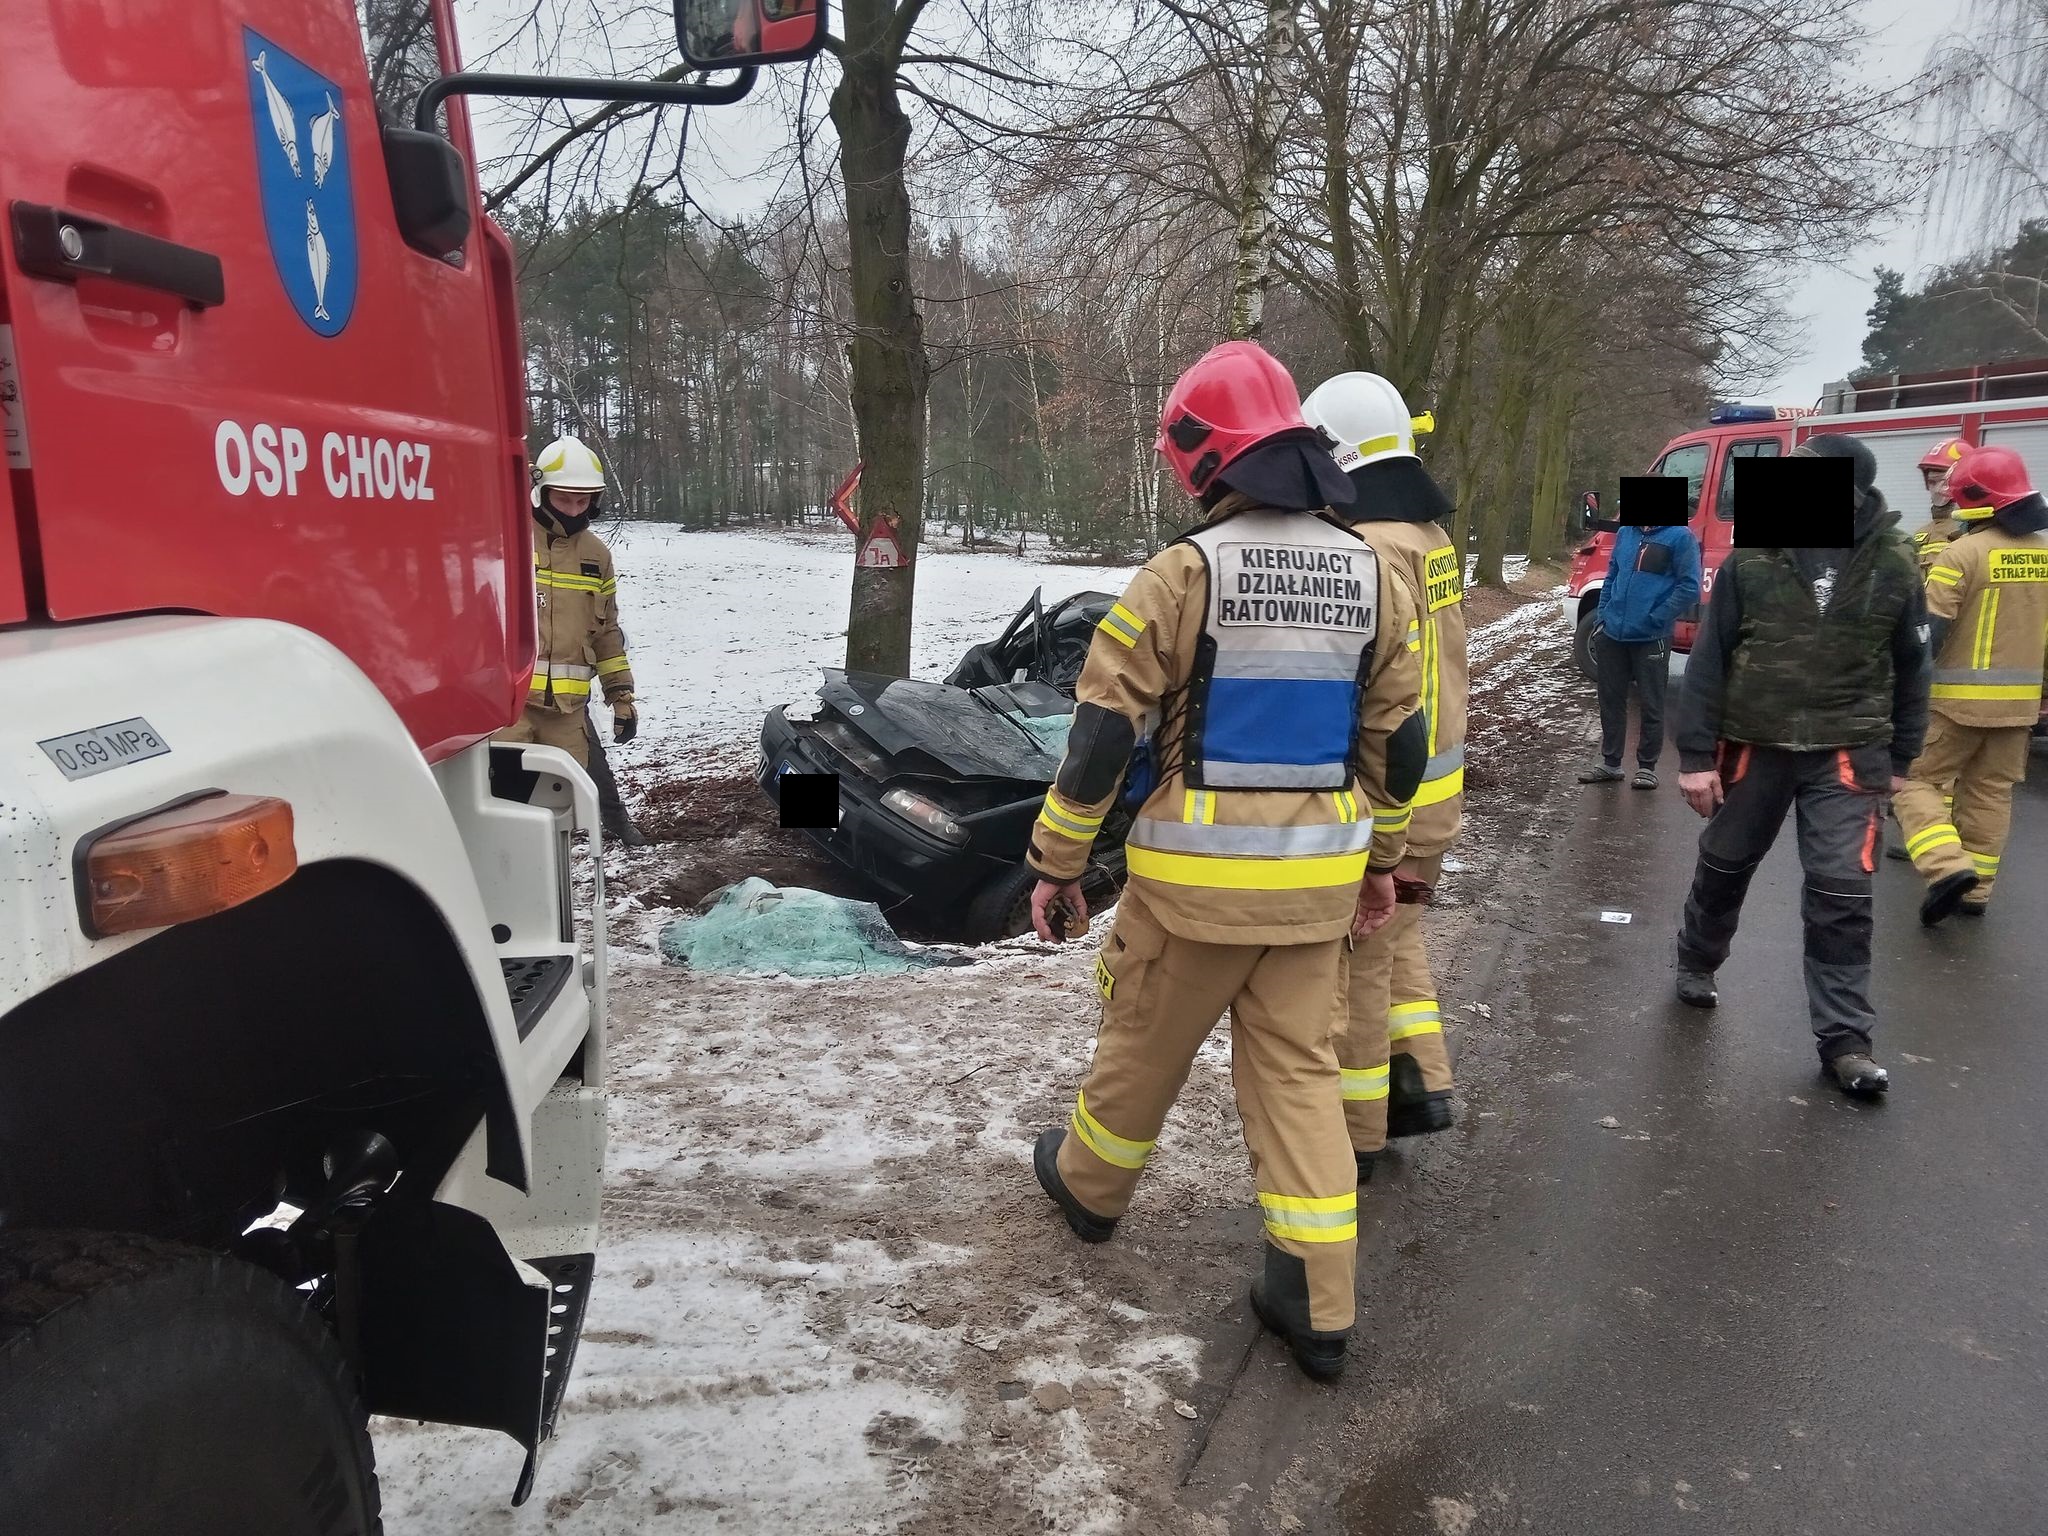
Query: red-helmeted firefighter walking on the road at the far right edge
1988	611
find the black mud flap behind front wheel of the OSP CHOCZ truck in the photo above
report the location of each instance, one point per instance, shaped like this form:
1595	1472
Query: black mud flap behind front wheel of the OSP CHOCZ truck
458	1332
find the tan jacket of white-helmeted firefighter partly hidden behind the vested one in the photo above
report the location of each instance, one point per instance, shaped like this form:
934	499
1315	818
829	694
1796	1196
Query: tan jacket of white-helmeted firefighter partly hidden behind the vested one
1433	566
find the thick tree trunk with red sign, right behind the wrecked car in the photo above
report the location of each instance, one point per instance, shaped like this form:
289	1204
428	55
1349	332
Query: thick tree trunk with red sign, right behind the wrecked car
890	372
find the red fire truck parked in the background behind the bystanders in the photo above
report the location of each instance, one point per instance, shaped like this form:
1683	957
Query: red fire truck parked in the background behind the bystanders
1897	417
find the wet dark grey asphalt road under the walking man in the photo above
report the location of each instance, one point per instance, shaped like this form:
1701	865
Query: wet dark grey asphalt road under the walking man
1748	1304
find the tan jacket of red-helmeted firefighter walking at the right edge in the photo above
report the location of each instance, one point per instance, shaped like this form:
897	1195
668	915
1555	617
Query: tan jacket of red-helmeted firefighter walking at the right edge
1994	587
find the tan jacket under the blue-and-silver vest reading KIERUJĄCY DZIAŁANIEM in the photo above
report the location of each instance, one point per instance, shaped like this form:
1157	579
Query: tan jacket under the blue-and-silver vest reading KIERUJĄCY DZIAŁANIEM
1236	865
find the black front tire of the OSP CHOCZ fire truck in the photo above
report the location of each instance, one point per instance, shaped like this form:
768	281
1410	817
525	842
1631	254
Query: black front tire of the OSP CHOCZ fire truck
161	1388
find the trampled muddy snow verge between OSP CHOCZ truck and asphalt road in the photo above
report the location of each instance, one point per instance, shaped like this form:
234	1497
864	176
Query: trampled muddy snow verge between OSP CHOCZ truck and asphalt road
830	1287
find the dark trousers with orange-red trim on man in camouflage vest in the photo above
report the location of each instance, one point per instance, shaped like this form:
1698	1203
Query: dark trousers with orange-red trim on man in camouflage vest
1840	800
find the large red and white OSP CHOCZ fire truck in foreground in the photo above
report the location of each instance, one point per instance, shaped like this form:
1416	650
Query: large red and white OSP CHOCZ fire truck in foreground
302	994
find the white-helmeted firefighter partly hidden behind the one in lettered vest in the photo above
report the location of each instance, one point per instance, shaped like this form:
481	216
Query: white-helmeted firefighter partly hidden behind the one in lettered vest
1396	1064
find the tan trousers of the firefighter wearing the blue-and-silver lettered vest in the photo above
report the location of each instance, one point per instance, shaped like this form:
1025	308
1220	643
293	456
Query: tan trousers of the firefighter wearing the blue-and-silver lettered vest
1160	1000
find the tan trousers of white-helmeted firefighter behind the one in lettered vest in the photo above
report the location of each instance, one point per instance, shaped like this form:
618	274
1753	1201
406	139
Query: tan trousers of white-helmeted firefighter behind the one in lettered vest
1392	1011
